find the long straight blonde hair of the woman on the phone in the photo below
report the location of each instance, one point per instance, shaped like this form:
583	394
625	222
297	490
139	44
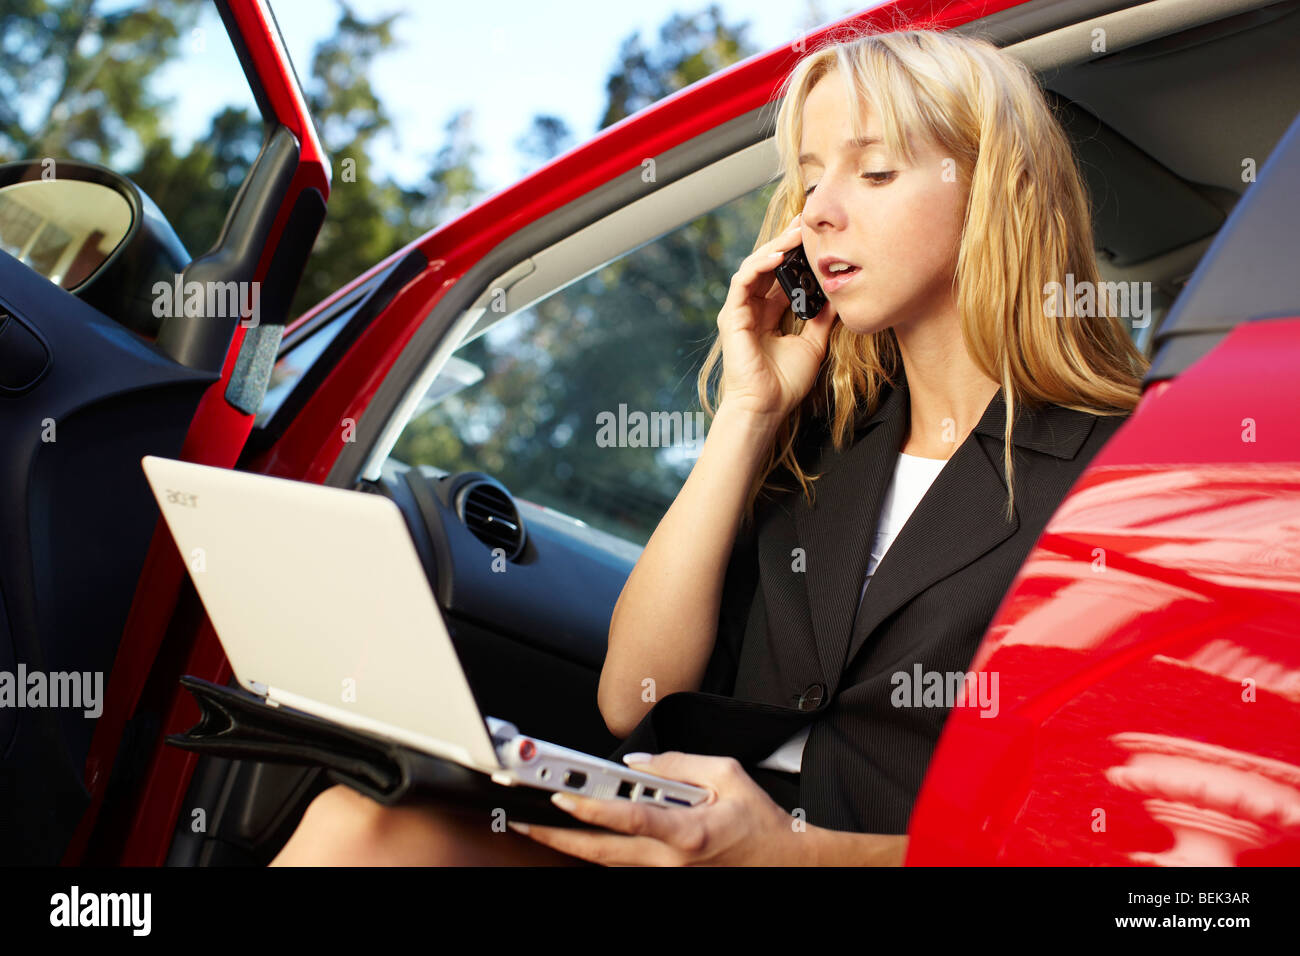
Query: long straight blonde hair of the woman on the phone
1028	224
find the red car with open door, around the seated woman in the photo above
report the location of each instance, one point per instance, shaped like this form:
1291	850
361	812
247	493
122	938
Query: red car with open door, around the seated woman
1147	652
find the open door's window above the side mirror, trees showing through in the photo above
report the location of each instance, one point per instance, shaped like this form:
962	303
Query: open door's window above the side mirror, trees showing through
151	90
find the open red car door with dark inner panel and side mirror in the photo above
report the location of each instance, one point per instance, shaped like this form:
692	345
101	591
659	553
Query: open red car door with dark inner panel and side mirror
89	576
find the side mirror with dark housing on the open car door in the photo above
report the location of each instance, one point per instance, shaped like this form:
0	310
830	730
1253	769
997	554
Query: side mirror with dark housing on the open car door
92	232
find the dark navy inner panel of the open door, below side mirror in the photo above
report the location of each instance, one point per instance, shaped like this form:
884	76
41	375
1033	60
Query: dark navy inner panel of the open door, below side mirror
77	524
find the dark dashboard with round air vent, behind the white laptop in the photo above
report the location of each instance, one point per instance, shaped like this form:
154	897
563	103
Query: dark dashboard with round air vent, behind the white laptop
527	594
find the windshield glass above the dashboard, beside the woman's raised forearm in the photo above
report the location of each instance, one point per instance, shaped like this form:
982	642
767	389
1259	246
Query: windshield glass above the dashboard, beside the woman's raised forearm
587	401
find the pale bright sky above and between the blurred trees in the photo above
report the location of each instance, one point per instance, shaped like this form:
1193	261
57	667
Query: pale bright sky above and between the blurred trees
508	62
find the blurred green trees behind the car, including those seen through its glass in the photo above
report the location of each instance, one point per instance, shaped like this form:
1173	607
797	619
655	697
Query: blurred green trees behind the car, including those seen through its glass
634	332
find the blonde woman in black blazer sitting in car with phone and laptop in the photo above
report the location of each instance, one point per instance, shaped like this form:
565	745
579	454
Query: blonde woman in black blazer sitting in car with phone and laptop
938	200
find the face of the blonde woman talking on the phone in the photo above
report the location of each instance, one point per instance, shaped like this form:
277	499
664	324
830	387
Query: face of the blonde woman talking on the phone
899	226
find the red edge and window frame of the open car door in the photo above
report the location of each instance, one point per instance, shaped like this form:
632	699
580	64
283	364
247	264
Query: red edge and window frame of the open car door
267	239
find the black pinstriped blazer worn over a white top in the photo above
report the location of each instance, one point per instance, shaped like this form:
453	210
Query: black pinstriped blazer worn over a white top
794	647
